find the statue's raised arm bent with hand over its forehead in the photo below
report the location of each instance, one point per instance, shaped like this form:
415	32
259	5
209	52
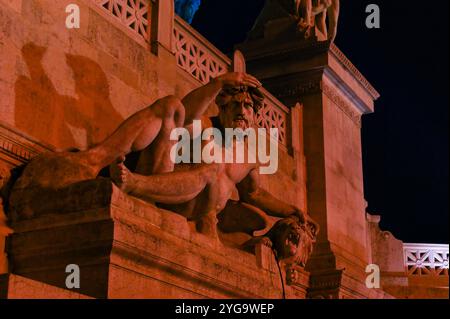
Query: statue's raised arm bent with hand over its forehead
196	102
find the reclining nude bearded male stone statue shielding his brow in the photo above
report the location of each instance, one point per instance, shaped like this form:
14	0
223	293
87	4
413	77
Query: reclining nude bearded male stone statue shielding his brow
200	192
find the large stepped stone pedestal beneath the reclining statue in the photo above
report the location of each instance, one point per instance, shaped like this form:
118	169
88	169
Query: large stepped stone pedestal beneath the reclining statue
126	248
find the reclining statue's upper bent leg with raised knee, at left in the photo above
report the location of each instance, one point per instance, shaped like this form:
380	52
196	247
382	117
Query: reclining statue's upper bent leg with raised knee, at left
57	170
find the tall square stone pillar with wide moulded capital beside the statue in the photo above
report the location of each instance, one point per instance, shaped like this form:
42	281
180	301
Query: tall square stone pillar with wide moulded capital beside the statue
334	95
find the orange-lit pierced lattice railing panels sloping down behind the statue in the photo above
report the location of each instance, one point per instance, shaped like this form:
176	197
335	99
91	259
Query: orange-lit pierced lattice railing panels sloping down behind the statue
193	53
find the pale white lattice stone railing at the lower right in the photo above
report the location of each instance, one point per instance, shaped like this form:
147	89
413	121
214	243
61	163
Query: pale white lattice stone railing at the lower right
426	259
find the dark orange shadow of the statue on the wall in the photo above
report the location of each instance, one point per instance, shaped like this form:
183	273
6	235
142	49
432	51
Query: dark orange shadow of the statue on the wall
56	119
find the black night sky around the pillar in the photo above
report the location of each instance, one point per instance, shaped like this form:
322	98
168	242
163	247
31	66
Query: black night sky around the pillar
405	142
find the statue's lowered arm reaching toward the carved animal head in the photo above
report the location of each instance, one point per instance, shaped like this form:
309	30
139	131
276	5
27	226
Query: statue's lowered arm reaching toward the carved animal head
251	193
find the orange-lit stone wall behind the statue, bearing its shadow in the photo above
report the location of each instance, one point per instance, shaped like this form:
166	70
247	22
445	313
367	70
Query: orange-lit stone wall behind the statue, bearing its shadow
43	68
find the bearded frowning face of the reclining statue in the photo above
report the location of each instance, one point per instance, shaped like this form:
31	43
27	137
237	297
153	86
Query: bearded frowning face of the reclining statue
238	112
